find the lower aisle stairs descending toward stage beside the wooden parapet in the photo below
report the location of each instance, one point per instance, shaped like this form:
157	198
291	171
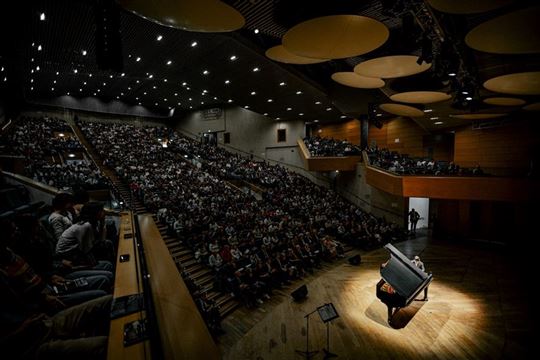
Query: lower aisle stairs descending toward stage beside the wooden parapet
200	275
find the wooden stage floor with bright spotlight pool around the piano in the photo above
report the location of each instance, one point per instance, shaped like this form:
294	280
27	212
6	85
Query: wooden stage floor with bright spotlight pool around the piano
478	309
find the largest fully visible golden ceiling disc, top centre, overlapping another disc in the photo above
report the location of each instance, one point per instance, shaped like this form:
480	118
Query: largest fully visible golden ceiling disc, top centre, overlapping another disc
335	37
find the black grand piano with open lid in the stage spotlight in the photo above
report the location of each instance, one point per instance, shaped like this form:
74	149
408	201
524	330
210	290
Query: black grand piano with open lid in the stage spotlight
401	282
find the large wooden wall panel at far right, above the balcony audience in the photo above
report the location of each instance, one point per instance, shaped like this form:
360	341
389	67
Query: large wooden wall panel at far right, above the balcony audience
511	146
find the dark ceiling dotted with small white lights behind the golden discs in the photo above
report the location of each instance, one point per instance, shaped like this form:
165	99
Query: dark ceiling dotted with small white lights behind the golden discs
170	72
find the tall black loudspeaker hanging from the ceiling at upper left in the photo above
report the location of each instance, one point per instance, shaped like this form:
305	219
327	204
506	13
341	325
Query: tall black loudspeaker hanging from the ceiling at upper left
108	40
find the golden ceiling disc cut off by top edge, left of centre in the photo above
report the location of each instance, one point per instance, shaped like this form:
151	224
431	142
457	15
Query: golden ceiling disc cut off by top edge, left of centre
189	15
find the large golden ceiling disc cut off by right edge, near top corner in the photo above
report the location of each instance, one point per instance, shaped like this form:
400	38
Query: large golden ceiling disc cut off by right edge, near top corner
512	33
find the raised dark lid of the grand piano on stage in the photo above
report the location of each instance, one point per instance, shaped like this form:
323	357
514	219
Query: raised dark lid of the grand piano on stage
400	272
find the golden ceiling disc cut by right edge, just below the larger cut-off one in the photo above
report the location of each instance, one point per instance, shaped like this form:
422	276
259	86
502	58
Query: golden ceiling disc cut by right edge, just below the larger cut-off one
527	83
